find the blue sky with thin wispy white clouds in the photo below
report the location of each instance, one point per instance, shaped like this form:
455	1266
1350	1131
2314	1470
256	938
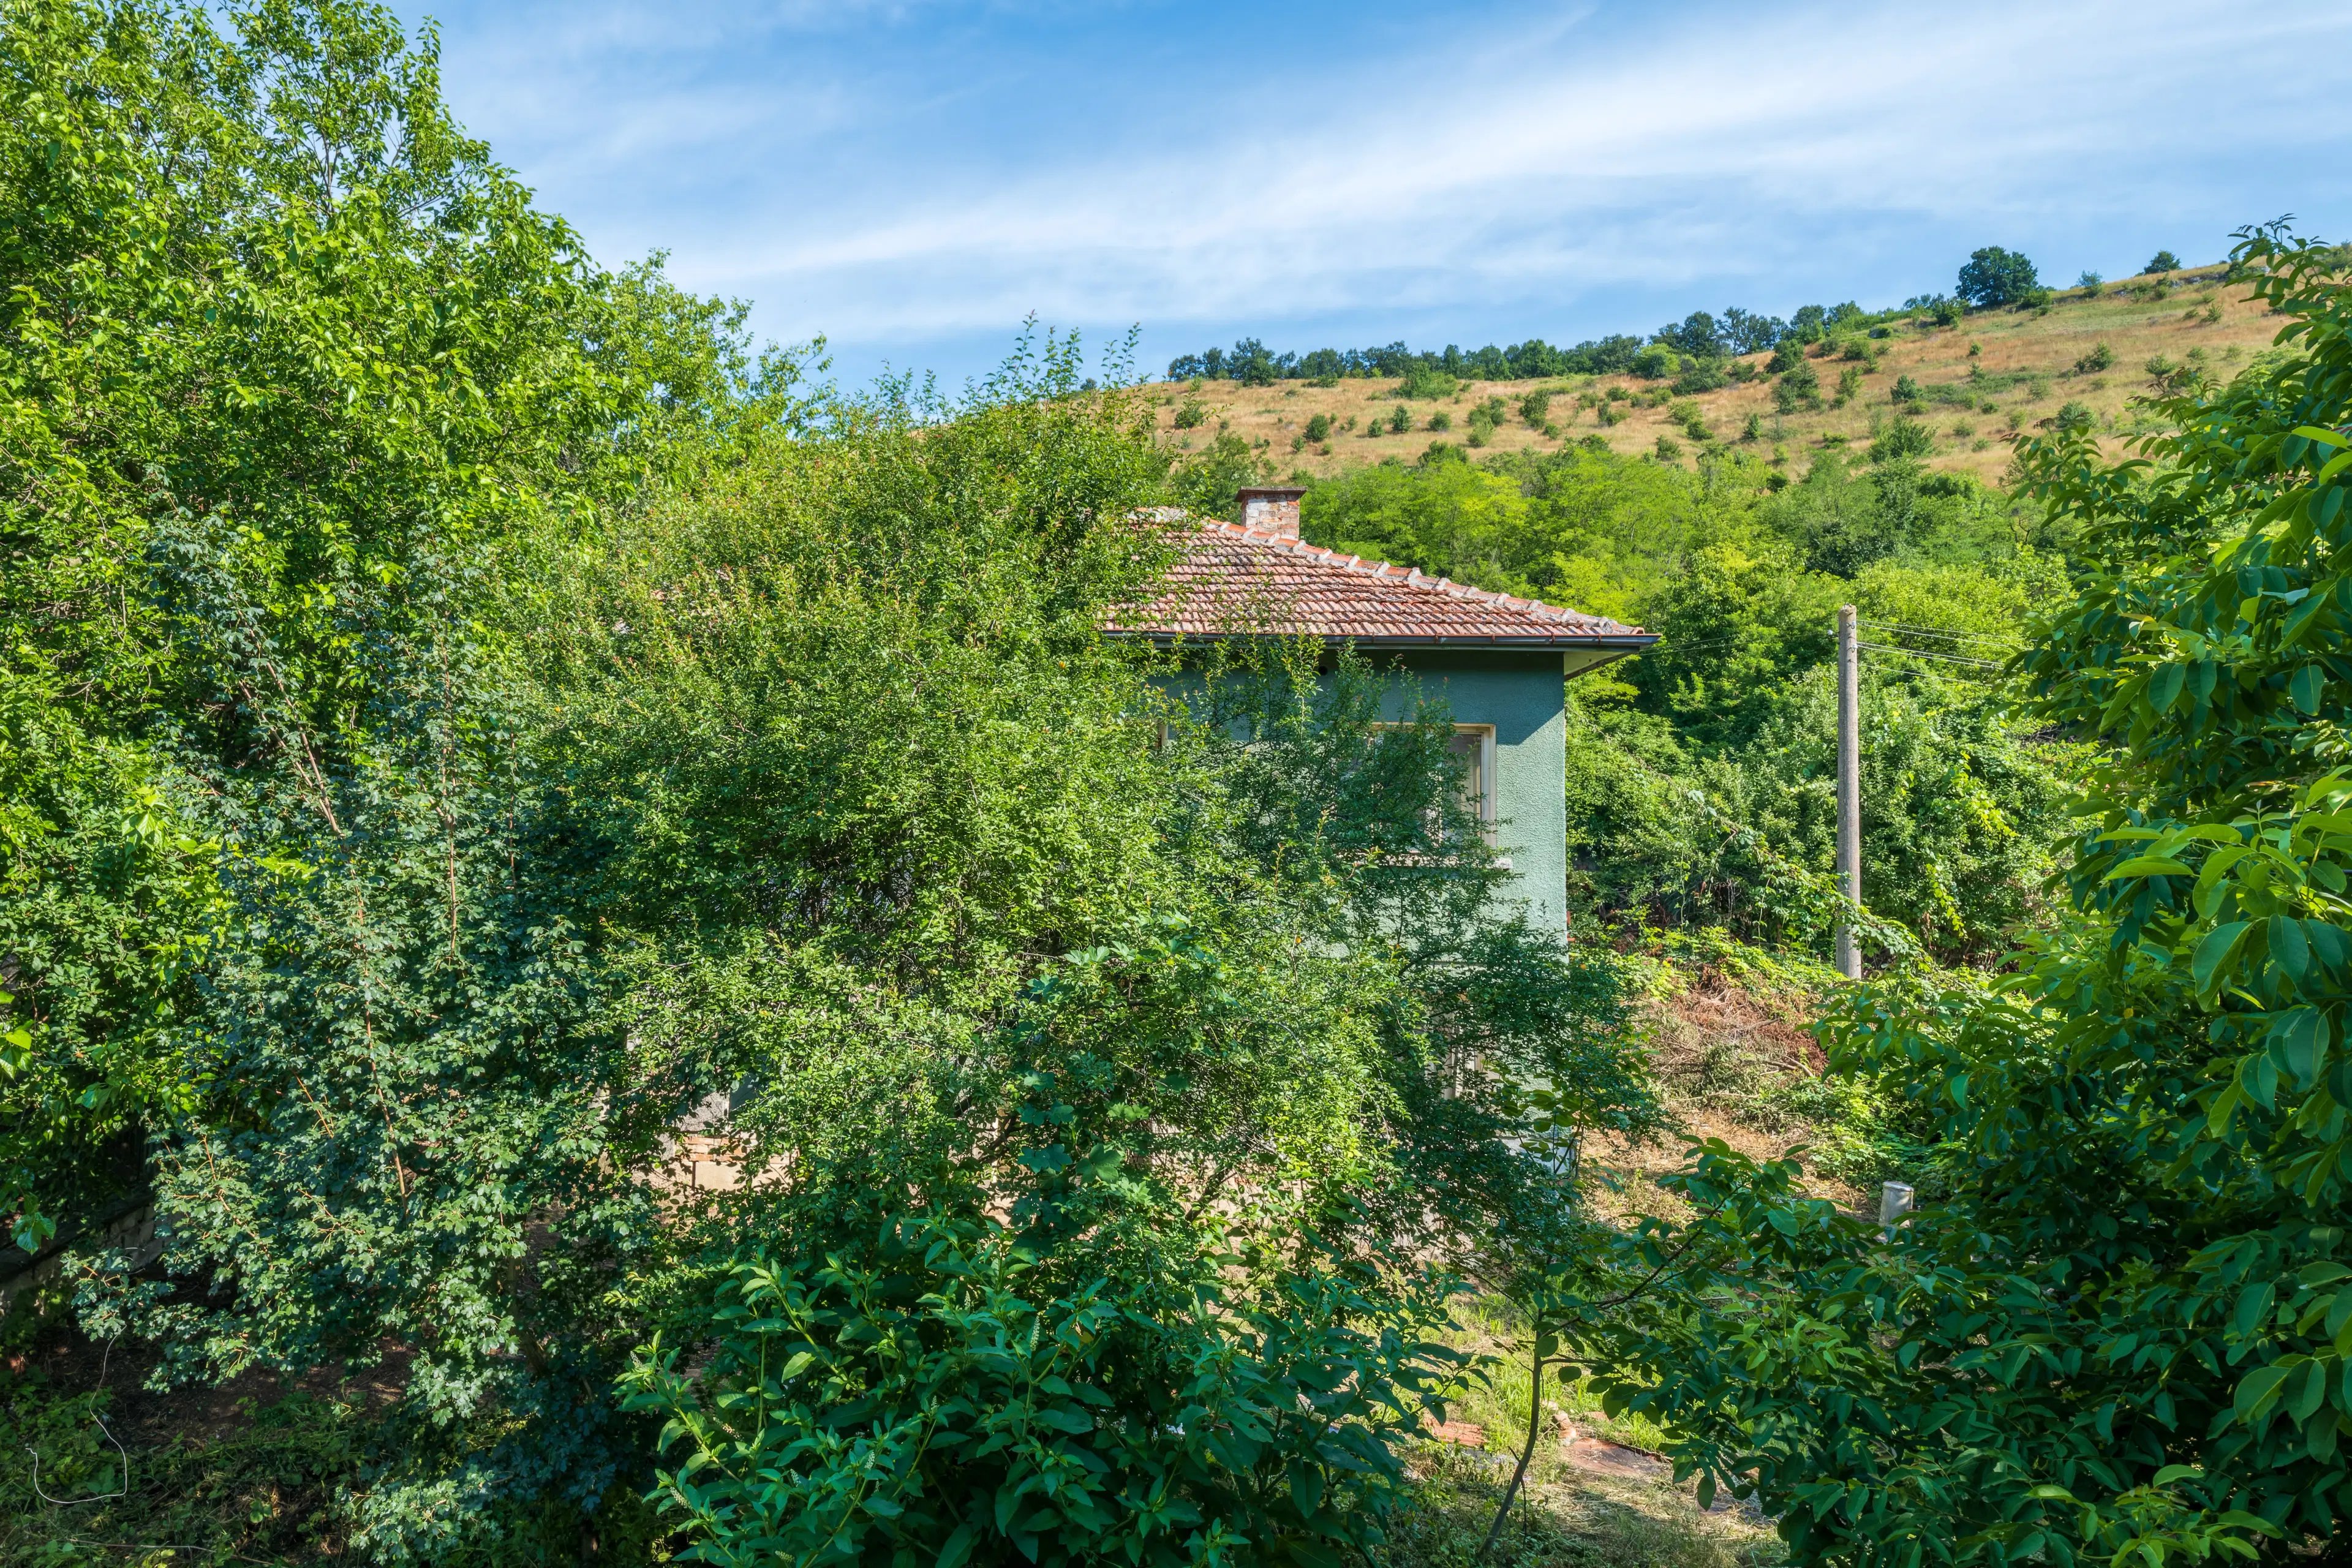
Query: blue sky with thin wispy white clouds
914	180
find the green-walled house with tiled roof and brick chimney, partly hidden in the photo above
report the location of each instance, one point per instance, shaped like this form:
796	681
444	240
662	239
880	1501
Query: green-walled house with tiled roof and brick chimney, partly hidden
1502	664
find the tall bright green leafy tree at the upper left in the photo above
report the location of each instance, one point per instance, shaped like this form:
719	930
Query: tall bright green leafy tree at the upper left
250	443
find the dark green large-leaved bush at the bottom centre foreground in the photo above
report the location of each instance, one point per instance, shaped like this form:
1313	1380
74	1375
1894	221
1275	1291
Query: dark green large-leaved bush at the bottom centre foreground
944	1391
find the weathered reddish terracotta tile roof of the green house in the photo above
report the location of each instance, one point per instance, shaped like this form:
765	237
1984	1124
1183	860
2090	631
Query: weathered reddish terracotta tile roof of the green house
1243	582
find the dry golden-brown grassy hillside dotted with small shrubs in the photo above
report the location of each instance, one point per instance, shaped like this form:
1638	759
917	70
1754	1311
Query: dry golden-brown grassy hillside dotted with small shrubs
1984	380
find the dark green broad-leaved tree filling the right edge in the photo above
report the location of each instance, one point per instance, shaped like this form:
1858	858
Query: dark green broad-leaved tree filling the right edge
2118	1332
